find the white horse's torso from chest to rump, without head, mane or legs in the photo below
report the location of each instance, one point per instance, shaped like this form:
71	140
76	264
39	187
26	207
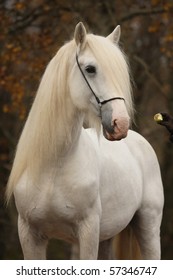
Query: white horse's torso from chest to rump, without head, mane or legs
62	201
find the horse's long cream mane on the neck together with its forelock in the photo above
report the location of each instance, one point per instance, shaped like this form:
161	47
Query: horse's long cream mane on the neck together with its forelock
40	141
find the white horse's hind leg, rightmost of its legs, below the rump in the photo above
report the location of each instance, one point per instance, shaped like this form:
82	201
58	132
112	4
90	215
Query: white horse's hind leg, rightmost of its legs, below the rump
147	229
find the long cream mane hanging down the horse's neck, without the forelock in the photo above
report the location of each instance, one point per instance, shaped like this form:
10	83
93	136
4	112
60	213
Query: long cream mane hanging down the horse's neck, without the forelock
39	138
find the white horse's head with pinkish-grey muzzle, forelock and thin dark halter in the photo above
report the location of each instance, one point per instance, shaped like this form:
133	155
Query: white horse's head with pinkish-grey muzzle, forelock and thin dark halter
101	83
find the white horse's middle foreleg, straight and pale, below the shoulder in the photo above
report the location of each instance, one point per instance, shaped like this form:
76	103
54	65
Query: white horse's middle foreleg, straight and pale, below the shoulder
88	234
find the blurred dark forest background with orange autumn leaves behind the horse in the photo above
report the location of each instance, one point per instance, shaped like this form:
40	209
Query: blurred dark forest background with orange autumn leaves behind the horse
30	34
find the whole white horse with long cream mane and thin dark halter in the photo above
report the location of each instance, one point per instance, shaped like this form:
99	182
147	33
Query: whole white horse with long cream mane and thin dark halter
72	183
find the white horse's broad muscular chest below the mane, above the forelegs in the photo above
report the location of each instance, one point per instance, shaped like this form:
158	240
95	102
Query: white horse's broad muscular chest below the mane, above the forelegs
59	203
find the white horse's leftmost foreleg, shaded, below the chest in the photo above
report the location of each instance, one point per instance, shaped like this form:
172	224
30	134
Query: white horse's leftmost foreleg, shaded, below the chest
33	245
